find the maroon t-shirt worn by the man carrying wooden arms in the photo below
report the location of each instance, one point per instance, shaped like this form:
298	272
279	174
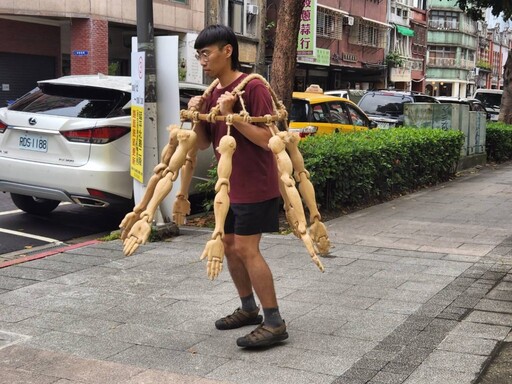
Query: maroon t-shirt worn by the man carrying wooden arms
254	175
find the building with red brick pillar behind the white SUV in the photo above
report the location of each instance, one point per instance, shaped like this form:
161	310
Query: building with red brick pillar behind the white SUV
49	38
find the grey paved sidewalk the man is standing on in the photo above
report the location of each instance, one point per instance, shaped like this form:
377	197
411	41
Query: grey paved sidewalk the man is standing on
416	290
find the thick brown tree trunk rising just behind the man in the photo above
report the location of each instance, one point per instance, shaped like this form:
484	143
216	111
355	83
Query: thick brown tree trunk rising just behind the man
284	57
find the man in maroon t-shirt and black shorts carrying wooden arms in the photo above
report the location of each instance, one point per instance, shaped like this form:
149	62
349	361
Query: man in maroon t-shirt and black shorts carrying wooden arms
254	191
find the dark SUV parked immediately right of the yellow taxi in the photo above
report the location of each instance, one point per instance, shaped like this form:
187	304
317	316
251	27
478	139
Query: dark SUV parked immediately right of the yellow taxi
386	108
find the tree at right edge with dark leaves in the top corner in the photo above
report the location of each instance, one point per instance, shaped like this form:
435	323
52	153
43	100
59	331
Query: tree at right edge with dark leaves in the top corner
475	9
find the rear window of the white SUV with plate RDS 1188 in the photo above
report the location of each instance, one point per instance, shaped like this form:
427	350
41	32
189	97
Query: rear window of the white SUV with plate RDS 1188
74	101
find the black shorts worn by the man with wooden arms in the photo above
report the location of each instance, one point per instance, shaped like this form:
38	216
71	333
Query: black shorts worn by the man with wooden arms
253	218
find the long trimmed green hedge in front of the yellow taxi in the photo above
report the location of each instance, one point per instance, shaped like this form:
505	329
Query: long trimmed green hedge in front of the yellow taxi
353	169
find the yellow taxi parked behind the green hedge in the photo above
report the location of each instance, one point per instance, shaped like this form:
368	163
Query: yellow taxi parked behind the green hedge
315	113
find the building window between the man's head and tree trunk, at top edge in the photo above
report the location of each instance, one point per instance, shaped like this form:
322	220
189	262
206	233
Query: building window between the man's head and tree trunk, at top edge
235	14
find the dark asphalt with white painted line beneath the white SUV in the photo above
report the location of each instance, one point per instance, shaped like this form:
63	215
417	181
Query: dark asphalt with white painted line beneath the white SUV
68	224
